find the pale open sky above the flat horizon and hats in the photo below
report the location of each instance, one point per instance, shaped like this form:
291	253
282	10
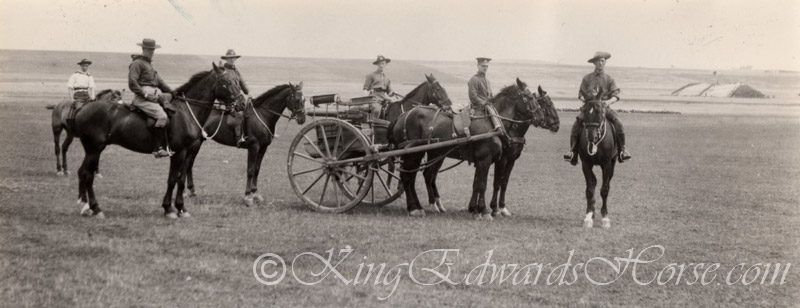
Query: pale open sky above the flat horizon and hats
708	34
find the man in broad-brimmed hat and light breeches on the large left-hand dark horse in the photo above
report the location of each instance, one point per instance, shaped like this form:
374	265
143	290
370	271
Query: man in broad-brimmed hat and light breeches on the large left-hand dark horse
147	85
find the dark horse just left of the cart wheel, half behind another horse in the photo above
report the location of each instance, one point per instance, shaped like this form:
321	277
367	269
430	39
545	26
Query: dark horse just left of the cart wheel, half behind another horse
261	117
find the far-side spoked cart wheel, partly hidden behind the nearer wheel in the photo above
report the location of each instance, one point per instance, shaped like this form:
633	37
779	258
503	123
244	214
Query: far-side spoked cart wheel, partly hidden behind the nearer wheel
385	187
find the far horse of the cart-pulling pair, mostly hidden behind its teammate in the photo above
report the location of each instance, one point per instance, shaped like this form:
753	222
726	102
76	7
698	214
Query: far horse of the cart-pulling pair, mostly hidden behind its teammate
545	117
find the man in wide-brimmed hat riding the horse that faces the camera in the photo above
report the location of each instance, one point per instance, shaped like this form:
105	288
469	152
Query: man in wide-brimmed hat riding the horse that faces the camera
592	84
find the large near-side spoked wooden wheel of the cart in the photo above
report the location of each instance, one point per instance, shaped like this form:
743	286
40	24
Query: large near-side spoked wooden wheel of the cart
322	186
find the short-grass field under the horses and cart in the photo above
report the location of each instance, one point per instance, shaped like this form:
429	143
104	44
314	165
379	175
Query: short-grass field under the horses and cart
708	189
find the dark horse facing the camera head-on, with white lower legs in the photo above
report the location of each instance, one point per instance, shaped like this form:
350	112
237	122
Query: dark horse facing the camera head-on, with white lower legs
597	147
